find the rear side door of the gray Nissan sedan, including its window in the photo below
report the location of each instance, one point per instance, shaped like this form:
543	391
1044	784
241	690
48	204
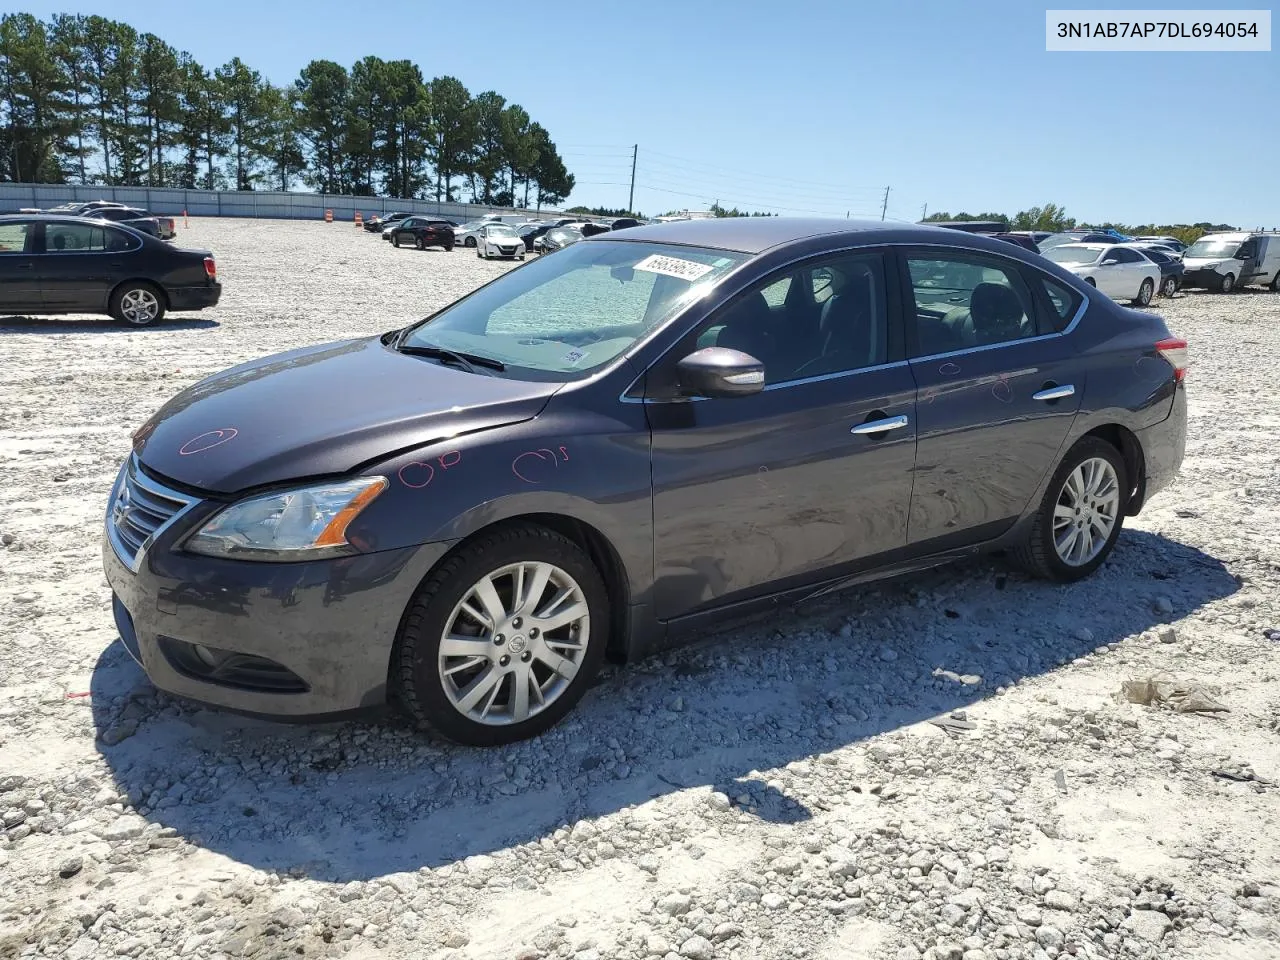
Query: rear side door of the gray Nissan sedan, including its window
999	385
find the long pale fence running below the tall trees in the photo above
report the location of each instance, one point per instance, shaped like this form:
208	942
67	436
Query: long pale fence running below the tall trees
216	203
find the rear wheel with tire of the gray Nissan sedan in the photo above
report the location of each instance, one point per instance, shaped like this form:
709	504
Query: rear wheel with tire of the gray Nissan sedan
1080	520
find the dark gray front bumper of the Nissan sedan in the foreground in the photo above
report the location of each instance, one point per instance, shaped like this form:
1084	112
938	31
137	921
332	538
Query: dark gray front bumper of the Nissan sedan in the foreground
330	625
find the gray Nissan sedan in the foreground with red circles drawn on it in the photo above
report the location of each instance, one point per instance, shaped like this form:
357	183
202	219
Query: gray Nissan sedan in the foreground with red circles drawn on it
611	447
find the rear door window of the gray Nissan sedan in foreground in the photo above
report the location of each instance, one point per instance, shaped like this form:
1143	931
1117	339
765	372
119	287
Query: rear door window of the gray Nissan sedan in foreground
964	303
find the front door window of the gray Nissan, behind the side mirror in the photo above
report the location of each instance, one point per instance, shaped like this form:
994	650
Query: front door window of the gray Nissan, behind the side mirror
840	327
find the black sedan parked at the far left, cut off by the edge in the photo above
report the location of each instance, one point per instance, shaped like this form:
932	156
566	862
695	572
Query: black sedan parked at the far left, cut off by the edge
79	266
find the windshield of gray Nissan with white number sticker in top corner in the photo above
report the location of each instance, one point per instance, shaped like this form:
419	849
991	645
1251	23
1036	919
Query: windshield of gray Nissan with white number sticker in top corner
563	317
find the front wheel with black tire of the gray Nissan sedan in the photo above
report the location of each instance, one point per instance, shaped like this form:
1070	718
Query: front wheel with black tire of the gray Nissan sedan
418	673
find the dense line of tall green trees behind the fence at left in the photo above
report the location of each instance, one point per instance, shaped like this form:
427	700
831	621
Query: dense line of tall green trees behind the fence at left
92	100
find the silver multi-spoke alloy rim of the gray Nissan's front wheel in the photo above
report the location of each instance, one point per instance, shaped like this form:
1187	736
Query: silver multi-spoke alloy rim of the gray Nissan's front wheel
514	643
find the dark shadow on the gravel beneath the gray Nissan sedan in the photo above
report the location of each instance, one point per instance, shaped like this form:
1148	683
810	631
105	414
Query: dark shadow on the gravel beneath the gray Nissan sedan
362	801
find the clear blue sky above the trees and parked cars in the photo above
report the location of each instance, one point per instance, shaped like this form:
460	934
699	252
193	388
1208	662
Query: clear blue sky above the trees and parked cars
811	107
